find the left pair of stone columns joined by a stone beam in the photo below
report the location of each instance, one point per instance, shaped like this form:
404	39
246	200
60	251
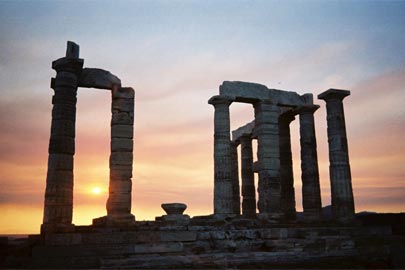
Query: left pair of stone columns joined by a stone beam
58	209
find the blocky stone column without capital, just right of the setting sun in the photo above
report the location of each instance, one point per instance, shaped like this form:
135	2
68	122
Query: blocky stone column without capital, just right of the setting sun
121	158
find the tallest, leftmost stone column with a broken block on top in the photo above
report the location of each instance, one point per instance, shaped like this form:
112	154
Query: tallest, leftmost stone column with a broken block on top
58	208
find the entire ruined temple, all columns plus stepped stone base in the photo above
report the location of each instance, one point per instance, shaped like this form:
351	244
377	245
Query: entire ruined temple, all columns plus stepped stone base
234	236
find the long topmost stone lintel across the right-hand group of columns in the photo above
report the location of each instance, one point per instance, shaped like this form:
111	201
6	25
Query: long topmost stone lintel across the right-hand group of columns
253	92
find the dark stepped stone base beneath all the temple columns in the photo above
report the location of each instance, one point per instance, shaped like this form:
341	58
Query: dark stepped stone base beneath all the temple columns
213	243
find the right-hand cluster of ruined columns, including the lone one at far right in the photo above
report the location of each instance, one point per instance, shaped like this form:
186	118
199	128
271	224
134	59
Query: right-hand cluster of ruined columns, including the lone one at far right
274	111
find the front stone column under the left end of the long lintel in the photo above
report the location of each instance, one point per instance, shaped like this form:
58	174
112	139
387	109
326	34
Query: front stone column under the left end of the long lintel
223	187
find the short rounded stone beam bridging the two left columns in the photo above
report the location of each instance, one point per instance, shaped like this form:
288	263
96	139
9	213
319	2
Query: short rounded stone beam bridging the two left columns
98	78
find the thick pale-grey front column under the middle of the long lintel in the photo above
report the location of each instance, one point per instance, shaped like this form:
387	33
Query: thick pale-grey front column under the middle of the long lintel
269	186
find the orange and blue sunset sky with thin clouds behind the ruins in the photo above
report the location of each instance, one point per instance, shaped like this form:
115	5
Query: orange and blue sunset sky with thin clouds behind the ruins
175	54
